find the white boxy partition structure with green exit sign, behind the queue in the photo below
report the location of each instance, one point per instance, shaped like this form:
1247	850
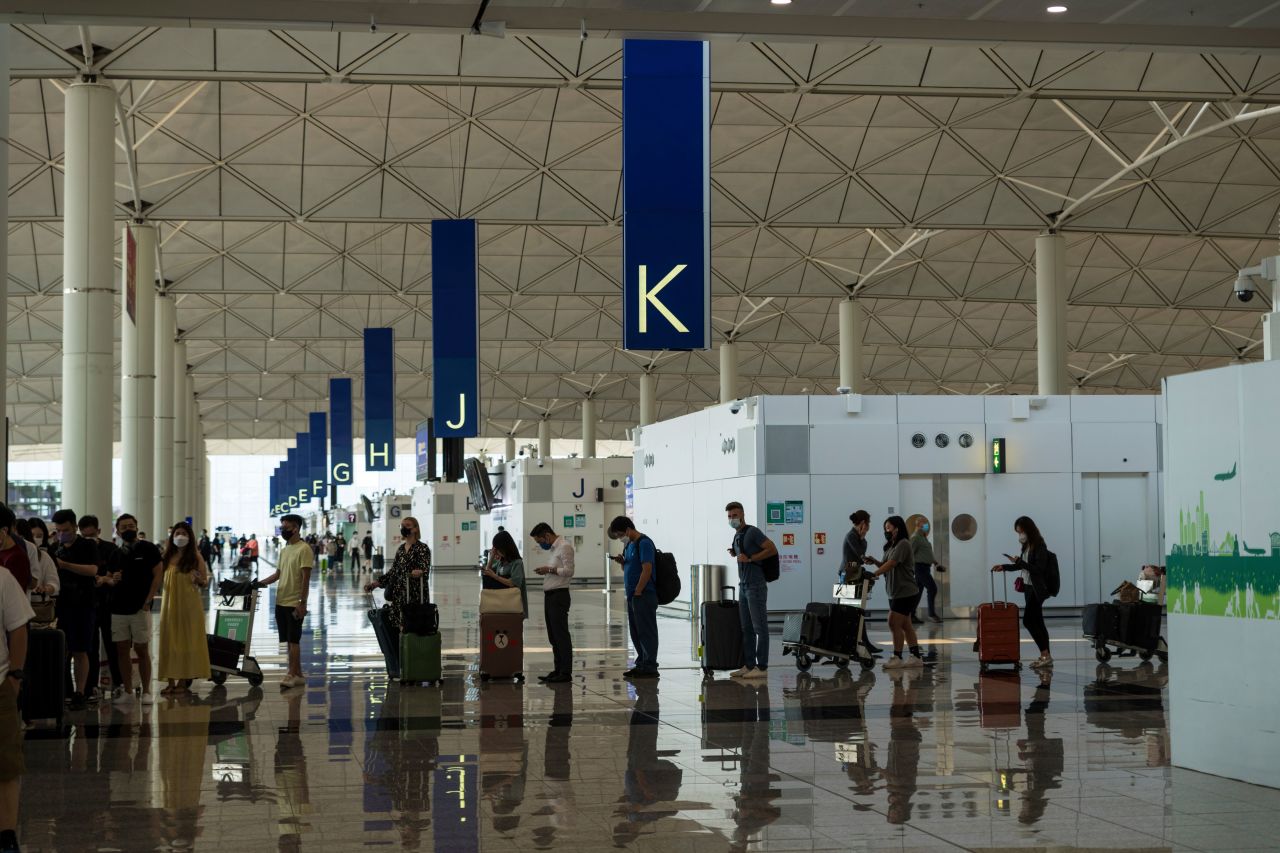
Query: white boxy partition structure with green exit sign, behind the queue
802	466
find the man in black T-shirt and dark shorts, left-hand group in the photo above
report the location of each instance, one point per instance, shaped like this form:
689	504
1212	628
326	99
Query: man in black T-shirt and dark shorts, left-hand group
77	573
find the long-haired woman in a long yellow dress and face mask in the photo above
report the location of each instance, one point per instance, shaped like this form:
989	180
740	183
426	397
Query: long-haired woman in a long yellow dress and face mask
184	644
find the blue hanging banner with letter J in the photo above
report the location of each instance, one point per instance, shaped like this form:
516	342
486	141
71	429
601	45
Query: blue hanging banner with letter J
455	329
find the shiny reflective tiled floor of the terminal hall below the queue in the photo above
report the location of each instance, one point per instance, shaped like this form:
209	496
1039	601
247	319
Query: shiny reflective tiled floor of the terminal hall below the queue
943	760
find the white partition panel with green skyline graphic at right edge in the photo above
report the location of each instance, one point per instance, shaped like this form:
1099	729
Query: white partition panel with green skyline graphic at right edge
1223	528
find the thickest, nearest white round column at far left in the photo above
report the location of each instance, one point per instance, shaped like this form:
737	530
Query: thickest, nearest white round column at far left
89	293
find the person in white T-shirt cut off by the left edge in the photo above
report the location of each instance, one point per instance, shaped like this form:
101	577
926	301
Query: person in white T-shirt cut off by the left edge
16	612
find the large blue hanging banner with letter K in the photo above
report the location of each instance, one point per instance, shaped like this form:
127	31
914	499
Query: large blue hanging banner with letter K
666	195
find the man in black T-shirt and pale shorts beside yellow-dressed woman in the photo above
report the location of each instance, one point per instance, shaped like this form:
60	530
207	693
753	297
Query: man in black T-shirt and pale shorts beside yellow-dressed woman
140	569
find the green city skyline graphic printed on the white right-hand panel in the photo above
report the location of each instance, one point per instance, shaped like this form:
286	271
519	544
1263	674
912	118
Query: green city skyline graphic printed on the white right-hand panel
1209	576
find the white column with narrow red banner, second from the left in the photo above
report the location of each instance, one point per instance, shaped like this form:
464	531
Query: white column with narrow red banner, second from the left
139	377
